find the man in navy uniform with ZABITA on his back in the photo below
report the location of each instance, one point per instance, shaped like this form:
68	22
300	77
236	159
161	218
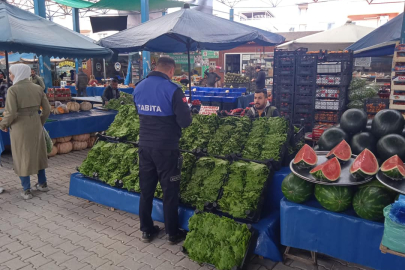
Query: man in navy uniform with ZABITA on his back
163	112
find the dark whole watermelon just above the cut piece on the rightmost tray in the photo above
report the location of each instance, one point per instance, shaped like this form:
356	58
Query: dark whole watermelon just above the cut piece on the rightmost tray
391	145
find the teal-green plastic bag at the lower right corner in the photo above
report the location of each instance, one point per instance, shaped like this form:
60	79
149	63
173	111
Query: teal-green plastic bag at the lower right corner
394	233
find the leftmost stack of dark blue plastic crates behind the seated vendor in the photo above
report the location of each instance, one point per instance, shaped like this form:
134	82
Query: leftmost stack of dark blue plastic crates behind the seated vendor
284	81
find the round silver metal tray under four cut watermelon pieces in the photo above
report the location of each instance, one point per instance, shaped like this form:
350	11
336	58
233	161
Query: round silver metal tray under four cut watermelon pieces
345	179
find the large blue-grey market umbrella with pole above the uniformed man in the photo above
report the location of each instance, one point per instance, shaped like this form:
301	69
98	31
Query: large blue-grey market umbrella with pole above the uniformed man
188	30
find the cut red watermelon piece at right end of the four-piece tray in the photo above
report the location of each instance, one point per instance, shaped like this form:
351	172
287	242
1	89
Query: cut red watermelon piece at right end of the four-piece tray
364	165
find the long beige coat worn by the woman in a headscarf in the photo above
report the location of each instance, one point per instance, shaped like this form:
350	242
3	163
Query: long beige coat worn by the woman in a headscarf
26	126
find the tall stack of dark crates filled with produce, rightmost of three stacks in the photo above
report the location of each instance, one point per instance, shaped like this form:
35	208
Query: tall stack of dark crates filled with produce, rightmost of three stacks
333	79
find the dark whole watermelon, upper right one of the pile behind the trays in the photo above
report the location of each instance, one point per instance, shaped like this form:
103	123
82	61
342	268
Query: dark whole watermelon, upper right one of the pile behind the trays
387	122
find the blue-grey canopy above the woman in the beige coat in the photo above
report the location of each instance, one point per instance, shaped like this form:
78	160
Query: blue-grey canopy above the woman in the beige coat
23	31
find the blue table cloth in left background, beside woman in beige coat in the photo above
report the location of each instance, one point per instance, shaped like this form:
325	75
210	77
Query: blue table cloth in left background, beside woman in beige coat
74	123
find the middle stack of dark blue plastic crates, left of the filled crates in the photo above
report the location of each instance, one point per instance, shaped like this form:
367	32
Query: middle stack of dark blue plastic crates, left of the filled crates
305	88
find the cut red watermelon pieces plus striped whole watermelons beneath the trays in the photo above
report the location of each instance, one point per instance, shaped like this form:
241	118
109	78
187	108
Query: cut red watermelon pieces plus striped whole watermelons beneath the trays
368	200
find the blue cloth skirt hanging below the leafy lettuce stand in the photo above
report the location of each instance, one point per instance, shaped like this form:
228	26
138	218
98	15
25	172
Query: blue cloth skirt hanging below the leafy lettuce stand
268	244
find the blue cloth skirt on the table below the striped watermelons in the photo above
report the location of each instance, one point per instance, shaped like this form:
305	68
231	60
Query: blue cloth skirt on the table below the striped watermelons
340	235
